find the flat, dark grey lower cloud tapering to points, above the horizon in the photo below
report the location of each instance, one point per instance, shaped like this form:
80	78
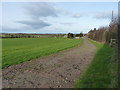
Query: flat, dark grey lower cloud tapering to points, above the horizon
34	24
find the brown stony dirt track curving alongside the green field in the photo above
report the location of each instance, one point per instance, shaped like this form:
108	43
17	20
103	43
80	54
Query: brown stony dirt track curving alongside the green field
60	70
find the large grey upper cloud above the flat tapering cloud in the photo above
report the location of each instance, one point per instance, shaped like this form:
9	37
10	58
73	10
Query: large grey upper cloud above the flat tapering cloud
41	9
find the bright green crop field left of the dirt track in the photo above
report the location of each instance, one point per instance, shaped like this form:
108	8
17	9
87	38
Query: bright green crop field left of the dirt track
18	50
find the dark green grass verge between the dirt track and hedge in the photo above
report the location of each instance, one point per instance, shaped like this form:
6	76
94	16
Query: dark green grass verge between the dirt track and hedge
102	72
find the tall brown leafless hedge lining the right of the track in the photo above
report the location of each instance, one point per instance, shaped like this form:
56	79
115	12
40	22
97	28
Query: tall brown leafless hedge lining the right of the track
104	34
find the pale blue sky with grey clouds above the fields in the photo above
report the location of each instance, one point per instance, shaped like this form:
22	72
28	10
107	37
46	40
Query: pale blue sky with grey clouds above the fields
39	17
